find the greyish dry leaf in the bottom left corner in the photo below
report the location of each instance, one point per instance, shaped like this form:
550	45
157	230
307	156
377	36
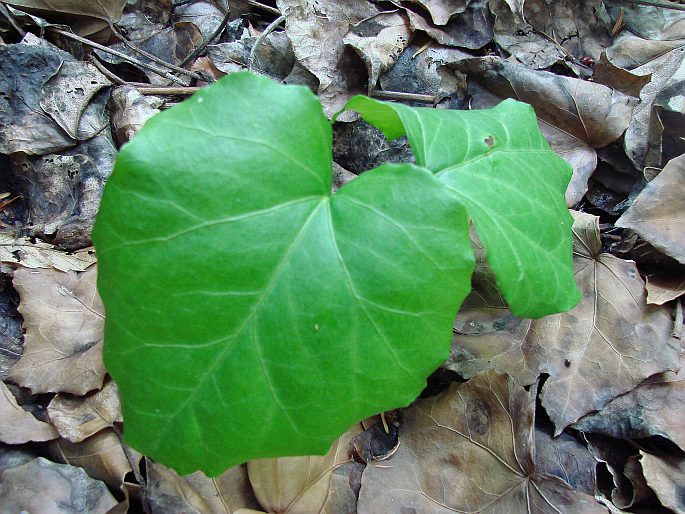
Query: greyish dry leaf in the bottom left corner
42	486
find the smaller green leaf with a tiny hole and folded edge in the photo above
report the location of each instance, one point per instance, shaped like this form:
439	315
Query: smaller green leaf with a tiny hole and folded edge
498	165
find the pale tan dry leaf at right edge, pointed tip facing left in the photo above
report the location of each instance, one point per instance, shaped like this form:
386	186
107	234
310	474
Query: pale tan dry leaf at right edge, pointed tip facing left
658	213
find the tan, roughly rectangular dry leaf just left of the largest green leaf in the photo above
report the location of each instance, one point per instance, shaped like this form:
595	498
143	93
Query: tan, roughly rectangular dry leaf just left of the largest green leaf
63	318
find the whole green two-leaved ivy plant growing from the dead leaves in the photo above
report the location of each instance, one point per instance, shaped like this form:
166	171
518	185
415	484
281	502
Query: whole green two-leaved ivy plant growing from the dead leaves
252	313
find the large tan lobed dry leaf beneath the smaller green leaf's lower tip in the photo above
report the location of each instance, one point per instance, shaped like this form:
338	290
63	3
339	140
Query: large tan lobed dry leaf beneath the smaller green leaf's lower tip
604	347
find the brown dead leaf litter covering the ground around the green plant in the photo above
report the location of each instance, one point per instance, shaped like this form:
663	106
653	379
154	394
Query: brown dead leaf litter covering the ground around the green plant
606	78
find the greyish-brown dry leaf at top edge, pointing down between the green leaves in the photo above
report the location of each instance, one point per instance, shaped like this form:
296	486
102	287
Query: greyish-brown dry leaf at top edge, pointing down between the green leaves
316	31
